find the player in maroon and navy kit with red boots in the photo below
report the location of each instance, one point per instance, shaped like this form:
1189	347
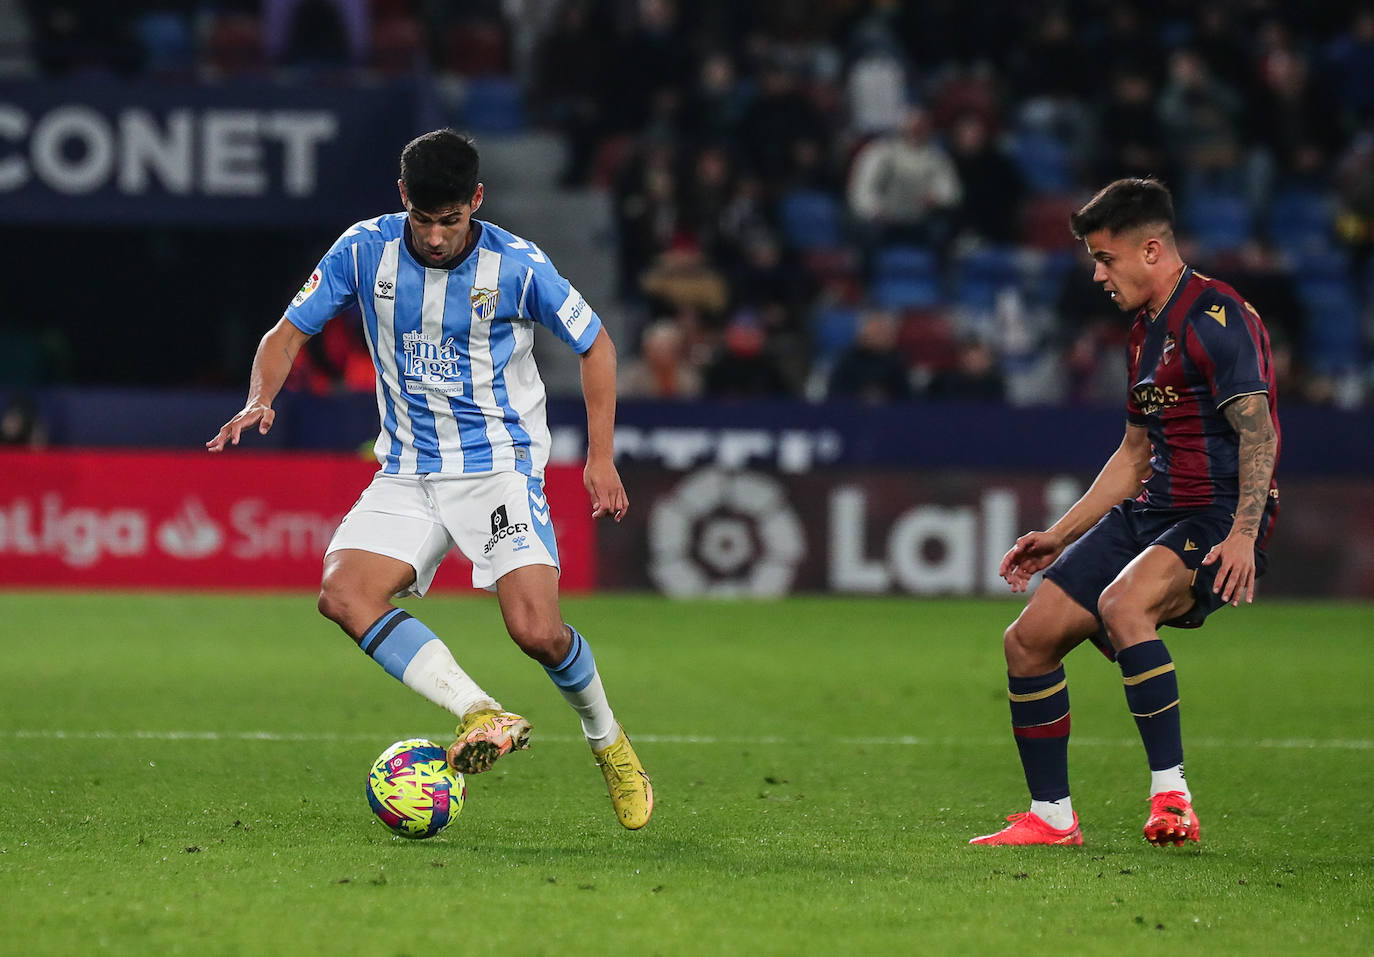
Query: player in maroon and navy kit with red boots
1174	527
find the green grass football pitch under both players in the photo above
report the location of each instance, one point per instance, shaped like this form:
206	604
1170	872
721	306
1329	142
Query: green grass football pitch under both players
185	775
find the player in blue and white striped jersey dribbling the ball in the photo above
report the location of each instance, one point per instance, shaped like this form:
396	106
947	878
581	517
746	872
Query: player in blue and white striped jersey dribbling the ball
450	307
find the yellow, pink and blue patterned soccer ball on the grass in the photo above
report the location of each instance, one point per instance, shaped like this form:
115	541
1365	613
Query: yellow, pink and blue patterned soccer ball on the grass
413	790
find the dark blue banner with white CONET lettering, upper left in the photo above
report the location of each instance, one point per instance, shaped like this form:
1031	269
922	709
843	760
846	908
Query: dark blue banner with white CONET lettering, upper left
117	153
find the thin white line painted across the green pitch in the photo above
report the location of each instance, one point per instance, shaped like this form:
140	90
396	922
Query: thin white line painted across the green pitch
898	741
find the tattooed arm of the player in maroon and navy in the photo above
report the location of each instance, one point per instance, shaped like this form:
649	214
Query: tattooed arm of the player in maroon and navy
1250	417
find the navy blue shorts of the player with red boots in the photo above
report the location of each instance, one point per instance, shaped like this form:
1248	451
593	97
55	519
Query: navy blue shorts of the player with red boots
1092	564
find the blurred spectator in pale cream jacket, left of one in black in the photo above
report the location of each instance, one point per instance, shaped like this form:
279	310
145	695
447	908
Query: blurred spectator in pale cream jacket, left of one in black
905	189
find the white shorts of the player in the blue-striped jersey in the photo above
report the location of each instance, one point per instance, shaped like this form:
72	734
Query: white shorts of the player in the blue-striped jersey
501	522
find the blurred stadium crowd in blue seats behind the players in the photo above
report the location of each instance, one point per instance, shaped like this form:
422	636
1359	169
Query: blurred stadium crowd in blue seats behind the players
870	198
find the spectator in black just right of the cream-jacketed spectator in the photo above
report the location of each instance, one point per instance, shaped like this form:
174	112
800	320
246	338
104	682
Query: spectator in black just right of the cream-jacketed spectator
991	182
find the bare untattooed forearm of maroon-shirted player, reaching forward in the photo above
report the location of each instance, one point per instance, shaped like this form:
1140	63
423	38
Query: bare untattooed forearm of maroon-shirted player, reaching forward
1119	480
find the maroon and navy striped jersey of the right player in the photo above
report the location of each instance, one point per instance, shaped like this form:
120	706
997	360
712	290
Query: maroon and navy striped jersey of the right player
1207	348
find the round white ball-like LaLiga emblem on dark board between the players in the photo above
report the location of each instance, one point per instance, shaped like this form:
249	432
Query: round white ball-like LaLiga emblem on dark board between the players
725	535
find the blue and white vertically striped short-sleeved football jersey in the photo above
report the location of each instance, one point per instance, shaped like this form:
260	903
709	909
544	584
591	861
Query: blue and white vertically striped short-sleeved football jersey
457	384
